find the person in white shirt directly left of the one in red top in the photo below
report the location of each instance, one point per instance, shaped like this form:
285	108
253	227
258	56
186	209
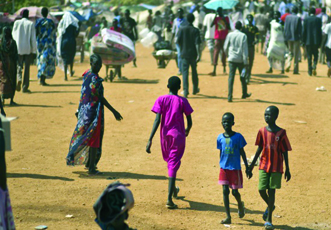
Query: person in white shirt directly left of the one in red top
209	34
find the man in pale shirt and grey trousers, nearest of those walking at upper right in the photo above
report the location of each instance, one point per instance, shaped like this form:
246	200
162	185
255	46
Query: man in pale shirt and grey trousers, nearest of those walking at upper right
236	49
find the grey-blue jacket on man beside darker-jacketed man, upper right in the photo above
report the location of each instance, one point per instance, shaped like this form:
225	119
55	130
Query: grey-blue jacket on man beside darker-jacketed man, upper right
292	28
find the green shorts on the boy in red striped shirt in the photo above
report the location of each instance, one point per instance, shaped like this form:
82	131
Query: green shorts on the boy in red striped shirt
269	180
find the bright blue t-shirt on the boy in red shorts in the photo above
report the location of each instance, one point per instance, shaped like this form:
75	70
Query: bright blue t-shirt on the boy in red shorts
230	150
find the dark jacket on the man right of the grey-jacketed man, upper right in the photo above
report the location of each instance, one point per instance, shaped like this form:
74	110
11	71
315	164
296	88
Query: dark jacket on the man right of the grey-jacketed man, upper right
312	30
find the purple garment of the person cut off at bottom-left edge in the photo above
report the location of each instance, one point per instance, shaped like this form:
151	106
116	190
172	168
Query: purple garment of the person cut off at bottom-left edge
6	214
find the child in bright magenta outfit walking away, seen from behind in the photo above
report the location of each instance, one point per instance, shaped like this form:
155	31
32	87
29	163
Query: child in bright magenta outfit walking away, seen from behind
169	111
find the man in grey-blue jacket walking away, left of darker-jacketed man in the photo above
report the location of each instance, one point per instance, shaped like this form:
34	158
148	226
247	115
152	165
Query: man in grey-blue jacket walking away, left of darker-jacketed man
293	34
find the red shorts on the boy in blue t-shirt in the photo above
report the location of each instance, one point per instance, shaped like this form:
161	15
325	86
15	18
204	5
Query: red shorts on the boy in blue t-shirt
233	178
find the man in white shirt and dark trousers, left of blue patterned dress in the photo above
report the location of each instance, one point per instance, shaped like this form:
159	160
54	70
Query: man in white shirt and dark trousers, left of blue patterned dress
25	36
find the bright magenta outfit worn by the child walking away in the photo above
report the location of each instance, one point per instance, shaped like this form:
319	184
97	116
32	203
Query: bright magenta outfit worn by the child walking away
172	109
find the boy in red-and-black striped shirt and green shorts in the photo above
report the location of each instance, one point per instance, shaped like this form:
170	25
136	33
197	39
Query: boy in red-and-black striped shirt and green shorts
272	141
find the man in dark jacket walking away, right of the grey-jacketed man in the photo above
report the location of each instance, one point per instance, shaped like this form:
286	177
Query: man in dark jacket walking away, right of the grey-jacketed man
312	38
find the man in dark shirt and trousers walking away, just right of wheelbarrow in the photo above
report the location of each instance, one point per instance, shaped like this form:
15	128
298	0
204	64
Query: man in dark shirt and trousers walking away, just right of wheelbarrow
189	42
